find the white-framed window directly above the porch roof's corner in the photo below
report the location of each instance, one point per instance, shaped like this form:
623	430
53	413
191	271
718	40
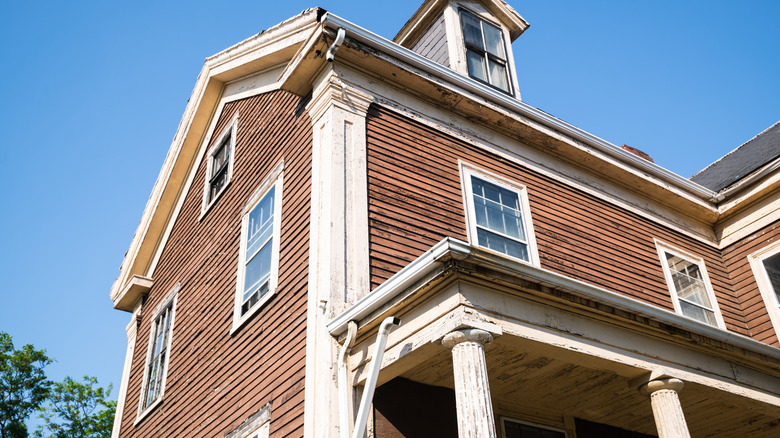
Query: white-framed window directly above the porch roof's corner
498	216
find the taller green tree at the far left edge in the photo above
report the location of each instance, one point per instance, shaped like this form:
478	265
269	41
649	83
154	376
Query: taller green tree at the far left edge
23	385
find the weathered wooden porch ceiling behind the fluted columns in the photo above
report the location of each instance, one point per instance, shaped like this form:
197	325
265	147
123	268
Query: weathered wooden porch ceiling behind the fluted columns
530	378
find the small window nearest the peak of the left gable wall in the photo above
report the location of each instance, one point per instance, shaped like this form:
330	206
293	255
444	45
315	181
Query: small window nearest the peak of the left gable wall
219	168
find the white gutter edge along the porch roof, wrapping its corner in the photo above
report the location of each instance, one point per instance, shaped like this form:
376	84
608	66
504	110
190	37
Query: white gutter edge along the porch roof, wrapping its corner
430	261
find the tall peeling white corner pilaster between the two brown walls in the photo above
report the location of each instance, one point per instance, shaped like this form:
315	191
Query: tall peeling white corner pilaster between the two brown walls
338	247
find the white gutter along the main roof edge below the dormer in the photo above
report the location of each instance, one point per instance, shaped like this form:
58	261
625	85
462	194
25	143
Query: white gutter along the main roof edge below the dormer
624	159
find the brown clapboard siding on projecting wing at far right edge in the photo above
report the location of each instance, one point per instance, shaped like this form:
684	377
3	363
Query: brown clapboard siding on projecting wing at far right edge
736	257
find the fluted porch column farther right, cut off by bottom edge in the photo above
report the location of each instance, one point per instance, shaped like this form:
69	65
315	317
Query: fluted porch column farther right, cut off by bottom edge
667	410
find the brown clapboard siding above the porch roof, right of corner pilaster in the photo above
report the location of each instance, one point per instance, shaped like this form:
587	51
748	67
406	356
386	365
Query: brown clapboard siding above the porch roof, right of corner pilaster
415	200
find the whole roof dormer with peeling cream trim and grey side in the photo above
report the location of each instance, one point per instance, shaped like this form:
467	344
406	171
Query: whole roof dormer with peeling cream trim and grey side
471	37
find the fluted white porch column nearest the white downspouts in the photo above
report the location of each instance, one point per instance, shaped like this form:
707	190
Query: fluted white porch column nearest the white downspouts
472	392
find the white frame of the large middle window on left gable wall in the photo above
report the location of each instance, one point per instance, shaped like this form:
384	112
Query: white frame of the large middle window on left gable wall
273	181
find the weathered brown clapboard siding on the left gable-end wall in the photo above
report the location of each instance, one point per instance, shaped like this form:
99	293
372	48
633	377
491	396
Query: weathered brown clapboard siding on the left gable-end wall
216	380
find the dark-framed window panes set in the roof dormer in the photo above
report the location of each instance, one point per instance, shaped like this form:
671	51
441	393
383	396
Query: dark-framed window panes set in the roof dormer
485	51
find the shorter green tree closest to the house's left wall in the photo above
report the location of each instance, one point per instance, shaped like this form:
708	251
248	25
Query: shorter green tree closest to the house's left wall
77	410
